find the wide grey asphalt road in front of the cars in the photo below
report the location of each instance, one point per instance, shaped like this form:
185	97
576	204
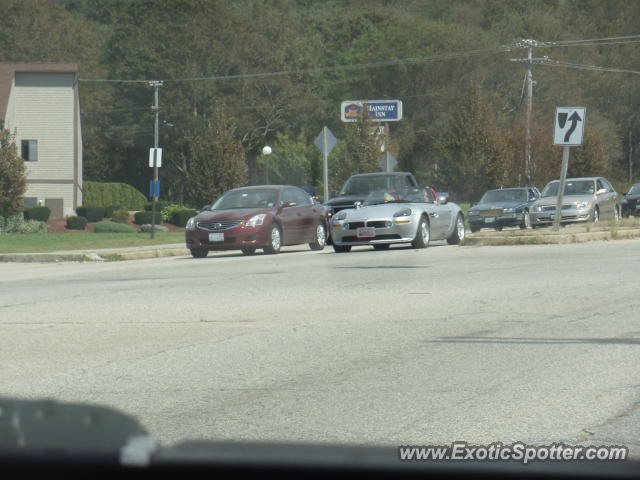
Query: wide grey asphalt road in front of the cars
535	343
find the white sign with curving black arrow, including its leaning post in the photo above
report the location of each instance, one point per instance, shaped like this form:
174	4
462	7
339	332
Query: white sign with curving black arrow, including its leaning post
568	132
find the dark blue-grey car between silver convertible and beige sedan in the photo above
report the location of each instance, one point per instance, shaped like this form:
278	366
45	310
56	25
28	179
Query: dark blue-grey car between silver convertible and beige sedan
503	207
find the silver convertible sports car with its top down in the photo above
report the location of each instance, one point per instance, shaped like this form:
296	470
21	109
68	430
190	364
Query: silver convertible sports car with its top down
405	215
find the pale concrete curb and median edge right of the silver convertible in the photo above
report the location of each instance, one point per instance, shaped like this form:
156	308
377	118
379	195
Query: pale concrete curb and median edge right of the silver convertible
552	238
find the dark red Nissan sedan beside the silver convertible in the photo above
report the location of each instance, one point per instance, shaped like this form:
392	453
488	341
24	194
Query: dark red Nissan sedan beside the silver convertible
264	216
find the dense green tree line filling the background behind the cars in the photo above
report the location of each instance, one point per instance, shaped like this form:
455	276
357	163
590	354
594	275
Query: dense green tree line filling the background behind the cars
464	125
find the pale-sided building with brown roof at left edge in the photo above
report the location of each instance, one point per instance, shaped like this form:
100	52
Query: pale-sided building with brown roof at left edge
39	103
